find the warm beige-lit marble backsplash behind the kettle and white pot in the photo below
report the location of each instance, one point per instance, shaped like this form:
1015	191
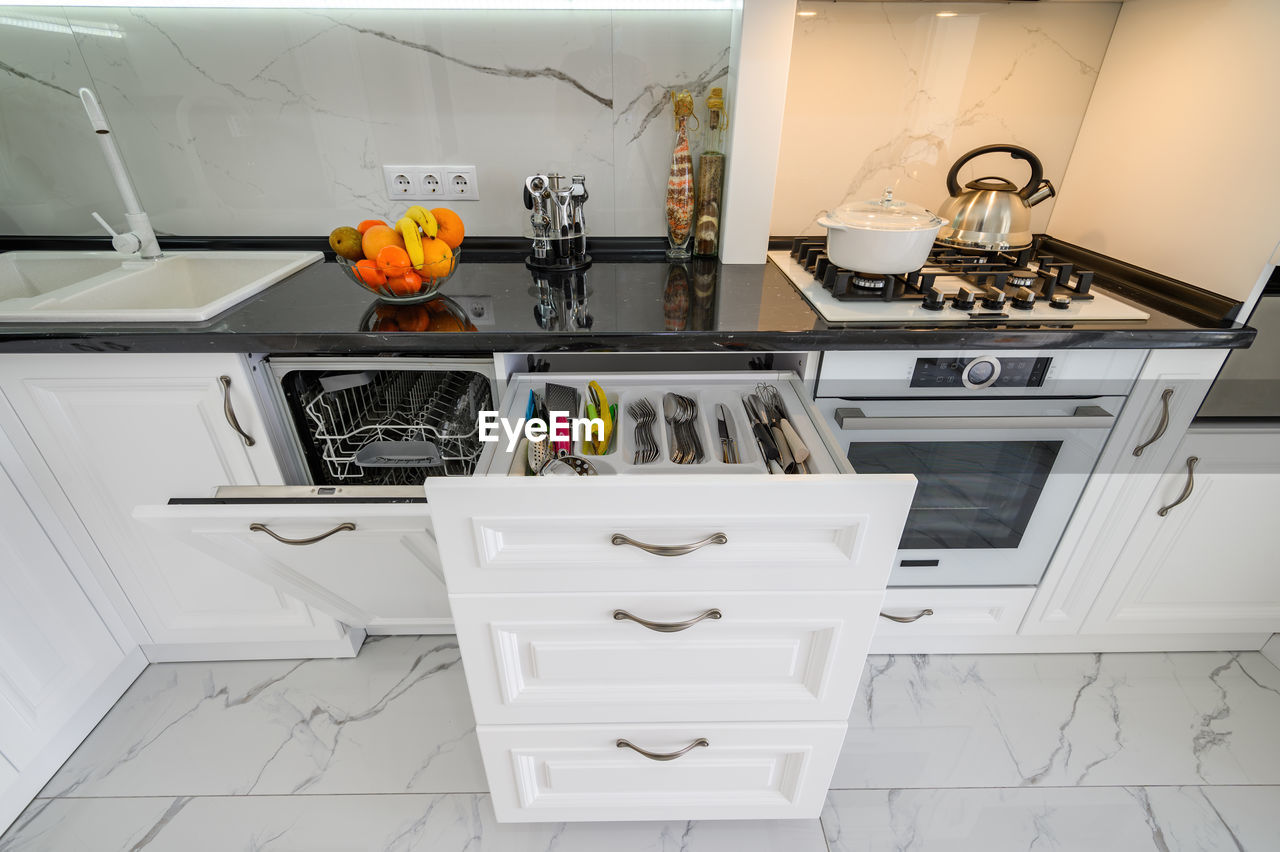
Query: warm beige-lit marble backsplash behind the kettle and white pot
893	94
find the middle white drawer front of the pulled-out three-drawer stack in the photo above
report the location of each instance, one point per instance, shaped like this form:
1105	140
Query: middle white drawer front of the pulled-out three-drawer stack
752	657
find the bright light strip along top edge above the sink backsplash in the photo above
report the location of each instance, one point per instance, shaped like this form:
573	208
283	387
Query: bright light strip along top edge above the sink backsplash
460	6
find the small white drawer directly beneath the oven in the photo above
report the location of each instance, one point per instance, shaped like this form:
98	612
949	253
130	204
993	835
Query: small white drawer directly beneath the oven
950	612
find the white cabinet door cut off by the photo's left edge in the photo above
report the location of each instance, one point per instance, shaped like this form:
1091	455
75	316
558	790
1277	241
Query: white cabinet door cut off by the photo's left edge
54	648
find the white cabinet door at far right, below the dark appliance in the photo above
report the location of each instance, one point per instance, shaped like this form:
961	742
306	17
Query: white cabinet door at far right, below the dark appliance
1209	565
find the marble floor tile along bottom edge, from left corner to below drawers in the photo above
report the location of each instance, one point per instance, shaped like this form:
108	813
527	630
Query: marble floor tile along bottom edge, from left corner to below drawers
369	823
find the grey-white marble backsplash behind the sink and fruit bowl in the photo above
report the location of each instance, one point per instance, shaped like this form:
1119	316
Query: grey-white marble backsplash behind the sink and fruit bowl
278	122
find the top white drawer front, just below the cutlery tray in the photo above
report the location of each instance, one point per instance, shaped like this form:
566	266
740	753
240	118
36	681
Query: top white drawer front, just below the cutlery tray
555	534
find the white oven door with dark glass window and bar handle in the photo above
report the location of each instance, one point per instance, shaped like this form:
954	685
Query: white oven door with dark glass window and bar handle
999	479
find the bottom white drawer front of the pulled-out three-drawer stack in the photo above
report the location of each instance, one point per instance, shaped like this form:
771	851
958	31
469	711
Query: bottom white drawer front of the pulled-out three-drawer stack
578	773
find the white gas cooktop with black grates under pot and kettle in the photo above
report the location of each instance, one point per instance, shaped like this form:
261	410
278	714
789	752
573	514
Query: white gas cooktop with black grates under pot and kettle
954	287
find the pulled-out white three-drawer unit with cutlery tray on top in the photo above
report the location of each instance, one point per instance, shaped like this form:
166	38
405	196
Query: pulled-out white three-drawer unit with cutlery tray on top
721	613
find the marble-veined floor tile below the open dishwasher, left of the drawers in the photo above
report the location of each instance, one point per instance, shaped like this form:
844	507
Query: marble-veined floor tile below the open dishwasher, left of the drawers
395	720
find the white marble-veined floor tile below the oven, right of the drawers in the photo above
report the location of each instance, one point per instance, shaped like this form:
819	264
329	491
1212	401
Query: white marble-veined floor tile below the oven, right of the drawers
1064	720
